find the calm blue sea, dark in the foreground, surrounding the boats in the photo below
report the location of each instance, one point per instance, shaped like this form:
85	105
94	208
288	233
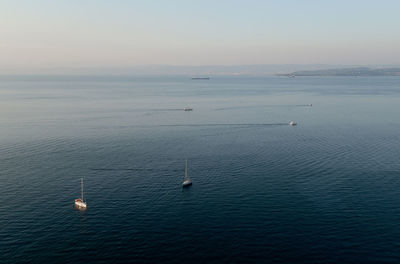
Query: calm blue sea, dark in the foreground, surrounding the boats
324	191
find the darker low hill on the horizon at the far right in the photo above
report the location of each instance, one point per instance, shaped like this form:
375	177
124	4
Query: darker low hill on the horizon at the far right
359	71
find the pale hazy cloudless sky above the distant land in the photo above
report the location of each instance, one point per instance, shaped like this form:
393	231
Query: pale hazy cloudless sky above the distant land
111	33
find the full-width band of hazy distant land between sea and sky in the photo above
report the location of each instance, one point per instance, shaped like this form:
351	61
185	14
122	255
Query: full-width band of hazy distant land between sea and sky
213	70
